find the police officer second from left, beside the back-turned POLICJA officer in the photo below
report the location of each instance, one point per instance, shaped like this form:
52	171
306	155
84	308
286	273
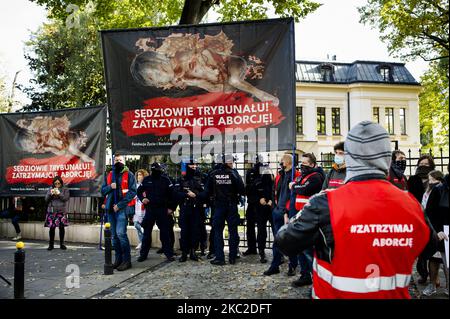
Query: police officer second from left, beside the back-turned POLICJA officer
186	190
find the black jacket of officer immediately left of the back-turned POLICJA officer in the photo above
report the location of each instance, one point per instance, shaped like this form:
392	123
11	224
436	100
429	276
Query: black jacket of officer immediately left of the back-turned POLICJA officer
193	183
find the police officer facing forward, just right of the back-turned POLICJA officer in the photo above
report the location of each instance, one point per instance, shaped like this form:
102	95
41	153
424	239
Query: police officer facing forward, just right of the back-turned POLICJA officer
258	188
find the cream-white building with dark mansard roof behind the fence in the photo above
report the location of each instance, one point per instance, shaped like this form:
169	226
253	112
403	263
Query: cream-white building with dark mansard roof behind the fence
332	97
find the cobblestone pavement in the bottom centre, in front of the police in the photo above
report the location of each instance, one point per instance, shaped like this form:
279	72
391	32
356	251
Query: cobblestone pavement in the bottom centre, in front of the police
201	280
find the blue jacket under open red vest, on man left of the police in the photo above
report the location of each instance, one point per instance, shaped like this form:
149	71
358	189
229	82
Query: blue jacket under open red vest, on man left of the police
122	202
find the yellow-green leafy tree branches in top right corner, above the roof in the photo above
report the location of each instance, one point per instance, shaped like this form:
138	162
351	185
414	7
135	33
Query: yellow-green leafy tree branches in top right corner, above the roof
411	28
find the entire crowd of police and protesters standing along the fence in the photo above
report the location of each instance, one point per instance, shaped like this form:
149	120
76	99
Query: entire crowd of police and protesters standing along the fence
310	212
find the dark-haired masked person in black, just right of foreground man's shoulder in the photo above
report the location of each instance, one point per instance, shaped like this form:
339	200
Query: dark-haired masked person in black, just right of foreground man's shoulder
417	184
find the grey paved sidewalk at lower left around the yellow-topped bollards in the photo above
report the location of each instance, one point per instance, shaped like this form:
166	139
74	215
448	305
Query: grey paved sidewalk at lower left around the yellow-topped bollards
46	276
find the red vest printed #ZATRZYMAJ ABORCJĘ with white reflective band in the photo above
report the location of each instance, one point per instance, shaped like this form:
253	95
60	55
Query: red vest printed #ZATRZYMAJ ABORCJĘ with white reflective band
378	231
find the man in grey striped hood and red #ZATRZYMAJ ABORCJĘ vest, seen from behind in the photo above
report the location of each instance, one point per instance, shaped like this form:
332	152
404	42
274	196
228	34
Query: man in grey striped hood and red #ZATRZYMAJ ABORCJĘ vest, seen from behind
366	234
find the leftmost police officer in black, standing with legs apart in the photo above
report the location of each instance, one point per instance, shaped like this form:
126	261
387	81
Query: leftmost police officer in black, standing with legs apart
156	193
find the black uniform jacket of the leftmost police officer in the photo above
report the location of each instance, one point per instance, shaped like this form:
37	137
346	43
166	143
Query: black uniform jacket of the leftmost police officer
158	190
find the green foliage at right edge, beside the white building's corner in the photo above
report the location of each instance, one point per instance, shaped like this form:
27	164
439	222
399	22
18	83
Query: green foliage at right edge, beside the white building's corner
434	108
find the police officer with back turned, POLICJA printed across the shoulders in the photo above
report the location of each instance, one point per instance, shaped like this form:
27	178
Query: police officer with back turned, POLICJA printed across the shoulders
225	185
